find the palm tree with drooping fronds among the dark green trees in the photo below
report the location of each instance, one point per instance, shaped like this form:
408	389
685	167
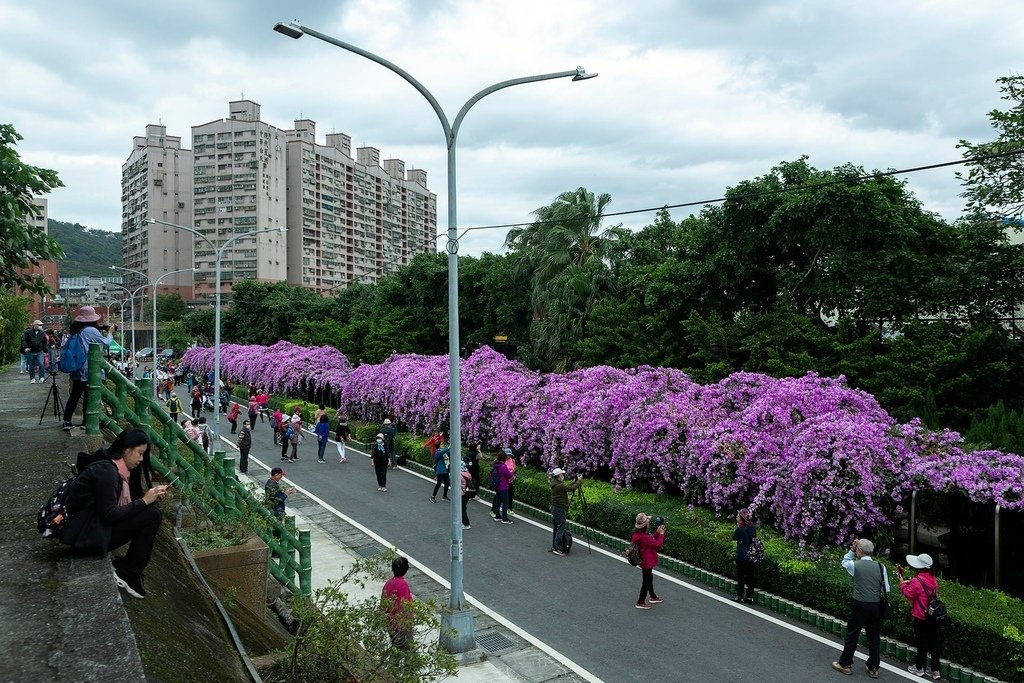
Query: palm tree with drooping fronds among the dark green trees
569	260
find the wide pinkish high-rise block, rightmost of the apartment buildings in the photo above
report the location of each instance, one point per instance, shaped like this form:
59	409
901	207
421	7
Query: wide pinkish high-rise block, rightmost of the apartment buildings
352	220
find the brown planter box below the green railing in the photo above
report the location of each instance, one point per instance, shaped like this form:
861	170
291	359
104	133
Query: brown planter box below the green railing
239	570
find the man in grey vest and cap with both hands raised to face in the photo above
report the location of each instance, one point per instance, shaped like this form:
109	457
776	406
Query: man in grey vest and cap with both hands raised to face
870	581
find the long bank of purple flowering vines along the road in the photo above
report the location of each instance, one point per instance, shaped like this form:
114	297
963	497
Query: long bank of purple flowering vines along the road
818	460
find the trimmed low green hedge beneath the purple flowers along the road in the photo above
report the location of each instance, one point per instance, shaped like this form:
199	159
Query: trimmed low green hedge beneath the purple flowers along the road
984	630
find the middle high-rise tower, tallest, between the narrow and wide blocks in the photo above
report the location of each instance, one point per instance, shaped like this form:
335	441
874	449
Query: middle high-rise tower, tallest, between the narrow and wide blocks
240	186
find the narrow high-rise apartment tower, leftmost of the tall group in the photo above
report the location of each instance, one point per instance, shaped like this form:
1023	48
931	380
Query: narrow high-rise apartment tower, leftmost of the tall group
157	183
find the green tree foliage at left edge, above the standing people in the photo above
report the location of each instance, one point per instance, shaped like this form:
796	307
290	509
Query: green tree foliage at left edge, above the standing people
23	246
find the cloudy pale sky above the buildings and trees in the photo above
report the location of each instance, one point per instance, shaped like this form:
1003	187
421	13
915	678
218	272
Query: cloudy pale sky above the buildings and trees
694	96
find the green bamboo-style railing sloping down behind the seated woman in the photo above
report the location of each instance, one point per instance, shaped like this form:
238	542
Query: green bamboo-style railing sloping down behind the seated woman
206	482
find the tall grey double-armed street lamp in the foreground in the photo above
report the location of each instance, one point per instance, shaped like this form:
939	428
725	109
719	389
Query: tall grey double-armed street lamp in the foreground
457	622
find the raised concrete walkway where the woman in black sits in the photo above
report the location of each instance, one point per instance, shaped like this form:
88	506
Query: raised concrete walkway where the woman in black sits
48	631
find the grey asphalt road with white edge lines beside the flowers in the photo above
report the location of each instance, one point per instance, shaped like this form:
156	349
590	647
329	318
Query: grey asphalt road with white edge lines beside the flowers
581	606
